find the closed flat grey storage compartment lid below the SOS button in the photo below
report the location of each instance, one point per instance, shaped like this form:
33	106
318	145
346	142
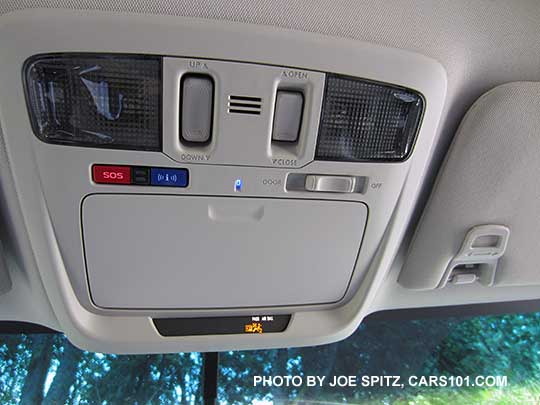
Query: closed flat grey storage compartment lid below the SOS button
147	251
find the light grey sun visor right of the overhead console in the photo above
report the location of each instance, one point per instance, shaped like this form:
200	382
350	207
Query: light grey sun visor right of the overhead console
491	176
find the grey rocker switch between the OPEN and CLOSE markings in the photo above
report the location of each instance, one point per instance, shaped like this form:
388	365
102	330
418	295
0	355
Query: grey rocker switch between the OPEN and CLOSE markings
287	116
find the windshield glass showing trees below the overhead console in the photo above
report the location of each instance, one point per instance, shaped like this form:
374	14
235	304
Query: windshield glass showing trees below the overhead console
481	359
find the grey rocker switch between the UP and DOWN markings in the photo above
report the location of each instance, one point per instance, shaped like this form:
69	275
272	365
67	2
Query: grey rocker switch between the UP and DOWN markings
196	110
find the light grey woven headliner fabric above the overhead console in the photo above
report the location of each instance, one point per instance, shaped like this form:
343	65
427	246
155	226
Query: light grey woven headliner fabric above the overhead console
481	43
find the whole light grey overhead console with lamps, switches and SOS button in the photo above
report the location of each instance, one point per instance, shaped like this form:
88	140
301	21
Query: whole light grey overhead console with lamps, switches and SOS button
184	188
